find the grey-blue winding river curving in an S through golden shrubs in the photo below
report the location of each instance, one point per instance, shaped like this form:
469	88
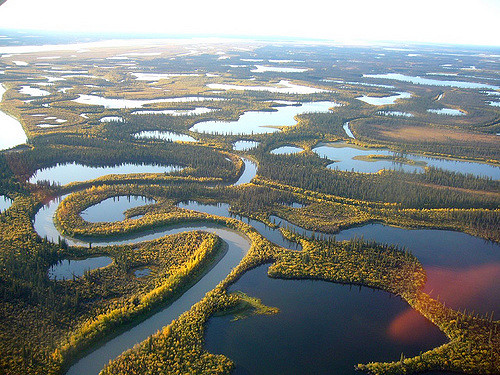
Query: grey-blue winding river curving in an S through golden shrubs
237	246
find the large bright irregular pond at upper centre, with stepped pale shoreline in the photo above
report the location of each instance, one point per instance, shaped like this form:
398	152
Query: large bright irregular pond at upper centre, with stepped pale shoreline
259	122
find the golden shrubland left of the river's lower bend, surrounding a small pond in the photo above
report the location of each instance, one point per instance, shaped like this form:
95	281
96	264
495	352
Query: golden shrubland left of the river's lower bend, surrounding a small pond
74	314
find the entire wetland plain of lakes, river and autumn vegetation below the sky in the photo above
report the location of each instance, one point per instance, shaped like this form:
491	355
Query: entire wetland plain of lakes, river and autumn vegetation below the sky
174	210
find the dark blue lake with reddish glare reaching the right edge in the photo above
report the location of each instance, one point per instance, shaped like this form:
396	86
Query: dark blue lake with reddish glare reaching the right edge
461	269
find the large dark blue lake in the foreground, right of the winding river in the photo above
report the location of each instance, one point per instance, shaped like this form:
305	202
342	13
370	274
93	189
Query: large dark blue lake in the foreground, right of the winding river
321	328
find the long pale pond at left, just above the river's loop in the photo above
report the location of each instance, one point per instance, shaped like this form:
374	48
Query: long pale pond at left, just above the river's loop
70	172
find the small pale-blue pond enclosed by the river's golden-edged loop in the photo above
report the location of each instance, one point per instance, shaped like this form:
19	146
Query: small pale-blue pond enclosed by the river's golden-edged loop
113	209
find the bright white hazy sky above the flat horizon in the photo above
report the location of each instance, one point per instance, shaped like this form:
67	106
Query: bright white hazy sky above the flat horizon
438	21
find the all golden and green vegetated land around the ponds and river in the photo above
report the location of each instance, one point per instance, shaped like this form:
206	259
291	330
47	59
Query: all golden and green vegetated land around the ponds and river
46	325
